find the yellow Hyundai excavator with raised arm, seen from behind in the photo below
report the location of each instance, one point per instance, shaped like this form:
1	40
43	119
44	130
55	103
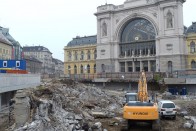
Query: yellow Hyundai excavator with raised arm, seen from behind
141	110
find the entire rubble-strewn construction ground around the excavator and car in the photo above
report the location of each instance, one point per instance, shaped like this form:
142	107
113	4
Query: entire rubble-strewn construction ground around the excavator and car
69	105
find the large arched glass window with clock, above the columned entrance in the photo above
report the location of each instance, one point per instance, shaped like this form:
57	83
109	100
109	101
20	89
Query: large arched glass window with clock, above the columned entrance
138	38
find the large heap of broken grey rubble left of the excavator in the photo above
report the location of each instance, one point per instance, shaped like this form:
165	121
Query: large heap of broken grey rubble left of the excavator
64	105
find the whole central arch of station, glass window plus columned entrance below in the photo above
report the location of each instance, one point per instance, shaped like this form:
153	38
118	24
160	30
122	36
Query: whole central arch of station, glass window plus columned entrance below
137	46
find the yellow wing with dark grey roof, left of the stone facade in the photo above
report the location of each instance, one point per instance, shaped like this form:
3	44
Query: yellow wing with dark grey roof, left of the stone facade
80	56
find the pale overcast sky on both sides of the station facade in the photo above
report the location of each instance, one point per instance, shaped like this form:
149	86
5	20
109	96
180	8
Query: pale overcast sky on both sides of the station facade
53	23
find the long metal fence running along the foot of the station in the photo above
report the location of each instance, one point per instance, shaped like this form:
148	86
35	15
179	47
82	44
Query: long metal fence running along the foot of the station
134	75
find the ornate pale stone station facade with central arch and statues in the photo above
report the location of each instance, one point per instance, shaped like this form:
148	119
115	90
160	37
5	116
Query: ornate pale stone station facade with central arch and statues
141	34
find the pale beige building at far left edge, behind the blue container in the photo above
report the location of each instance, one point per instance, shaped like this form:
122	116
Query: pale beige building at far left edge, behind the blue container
5	48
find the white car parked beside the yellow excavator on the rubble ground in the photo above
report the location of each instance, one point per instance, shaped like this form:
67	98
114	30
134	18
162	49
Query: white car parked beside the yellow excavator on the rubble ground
167	108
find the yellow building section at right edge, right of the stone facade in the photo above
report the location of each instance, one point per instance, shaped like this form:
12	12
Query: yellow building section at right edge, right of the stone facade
191	46
